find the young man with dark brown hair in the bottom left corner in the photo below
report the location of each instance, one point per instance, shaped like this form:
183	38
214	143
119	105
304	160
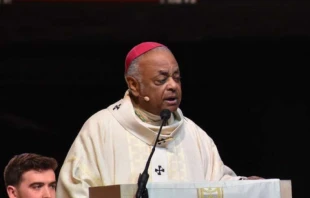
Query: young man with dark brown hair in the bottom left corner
30	175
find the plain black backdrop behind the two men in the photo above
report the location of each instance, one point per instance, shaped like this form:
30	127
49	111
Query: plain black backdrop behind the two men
243	65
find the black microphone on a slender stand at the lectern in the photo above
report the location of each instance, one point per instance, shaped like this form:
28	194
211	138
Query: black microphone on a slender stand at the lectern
142	190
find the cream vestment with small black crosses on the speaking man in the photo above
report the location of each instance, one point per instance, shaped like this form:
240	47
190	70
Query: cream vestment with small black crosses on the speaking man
113	146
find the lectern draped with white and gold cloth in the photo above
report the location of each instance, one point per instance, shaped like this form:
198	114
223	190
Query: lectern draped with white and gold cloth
267	188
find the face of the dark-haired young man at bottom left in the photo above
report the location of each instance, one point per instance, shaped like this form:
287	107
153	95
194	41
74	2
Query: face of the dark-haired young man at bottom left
35	184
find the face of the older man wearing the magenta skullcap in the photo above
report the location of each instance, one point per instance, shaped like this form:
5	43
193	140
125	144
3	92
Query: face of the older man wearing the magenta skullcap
160	81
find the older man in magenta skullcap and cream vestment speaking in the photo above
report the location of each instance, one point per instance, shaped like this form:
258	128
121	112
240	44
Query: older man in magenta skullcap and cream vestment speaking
114	144
